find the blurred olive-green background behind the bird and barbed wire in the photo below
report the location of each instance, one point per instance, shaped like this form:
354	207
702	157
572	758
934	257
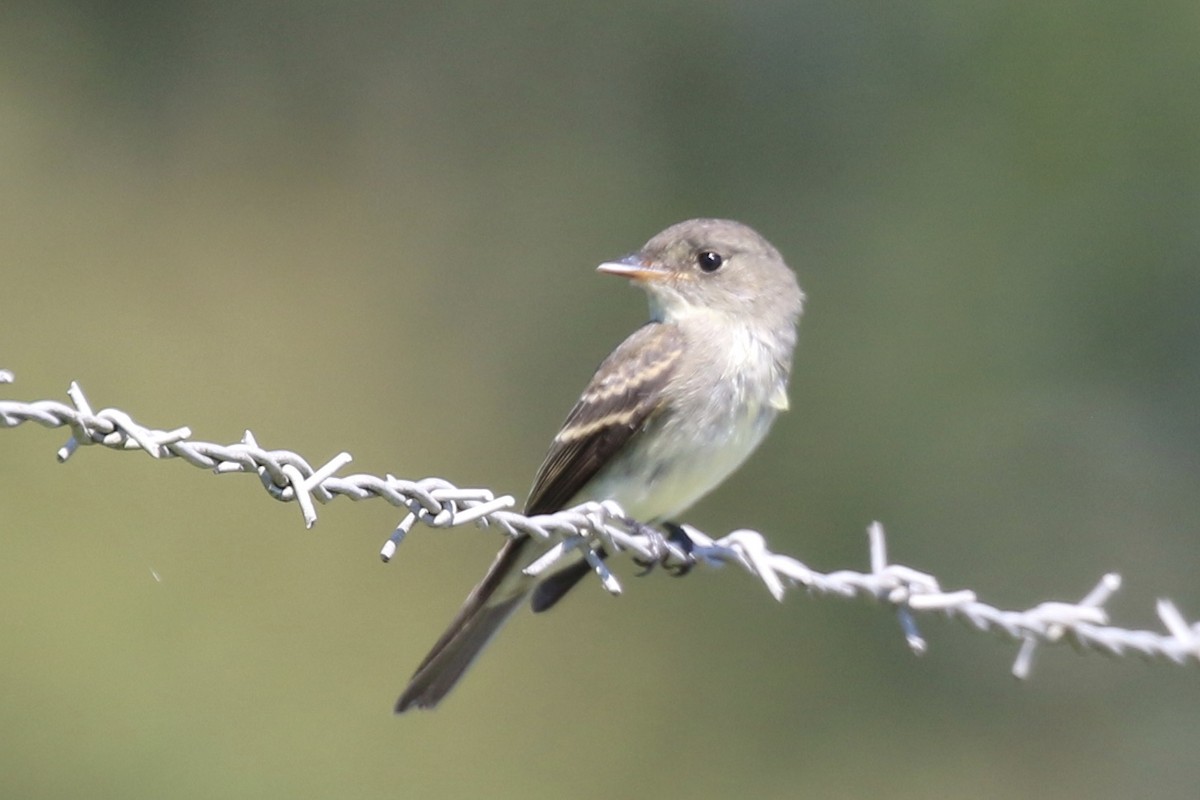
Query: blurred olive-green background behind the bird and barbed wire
373	227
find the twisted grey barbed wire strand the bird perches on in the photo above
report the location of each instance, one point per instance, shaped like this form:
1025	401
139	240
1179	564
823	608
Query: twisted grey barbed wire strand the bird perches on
436	503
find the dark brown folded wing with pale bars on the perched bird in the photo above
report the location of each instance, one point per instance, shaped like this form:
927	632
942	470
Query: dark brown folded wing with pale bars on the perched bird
623	394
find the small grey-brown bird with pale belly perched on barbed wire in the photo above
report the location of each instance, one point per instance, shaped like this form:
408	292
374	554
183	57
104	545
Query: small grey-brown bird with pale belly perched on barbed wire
668	417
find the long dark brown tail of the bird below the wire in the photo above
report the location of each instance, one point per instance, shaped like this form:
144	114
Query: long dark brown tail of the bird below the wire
483	615
